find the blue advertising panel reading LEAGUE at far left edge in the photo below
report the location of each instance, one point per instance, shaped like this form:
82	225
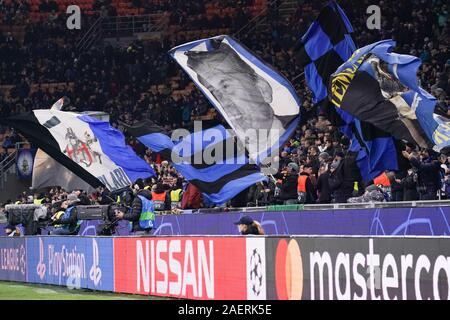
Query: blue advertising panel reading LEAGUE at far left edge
13	259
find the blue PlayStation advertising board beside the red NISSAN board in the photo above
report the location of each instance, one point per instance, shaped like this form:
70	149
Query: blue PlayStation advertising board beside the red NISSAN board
74	262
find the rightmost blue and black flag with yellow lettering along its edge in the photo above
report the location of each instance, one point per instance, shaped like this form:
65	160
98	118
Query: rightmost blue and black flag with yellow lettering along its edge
380	87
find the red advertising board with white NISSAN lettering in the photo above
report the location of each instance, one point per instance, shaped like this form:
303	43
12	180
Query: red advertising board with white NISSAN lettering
182	267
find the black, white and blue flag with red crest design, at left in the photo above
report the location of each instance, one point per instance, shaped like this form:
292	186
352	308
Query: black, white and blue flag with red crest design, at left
91	149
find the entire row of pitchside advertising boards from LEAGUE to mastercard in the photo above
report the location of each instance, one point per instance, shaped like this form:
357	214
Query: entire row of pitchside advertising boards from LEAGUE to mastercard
228	267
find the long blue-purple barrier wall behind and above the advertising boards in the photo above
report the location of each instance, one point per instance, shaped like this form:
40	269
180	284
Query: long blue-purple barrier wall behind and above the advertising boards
431	221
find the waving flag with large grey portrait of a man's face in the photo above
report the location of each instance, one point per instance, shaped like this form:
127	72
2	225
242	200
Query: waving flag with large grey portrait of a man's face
258	103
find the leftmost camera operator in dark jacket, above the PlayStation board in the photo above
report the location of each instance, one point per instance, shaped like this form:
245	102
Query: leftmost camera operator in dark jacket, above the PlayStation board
69	224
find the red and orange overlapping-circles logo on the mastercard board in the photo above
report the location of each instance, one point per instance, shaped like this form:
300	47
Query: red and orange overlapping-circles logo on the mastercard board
289	270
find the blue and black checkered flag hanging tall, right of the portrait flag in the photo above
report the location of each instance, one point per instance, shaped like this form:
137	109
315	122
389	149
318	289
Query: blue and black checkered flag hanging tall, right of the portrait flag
326	45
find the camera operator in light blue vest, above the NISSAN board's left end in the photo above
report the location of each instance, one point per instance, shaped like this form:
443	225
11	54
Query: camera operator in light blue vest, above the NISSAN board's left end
142	214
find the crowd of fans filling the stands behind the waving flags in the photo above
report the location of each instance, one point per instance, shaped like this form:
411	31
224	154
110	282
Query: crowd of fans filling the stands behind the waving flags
113	79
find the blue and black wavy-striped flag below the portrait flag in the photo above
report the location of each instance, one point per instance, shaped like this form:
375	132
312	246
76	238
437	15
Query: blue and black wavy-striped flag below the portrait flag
211	159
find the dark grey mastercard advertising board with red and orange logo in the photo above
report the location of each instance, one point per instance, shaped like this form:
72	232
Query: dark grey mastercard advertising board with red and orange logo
358	268
